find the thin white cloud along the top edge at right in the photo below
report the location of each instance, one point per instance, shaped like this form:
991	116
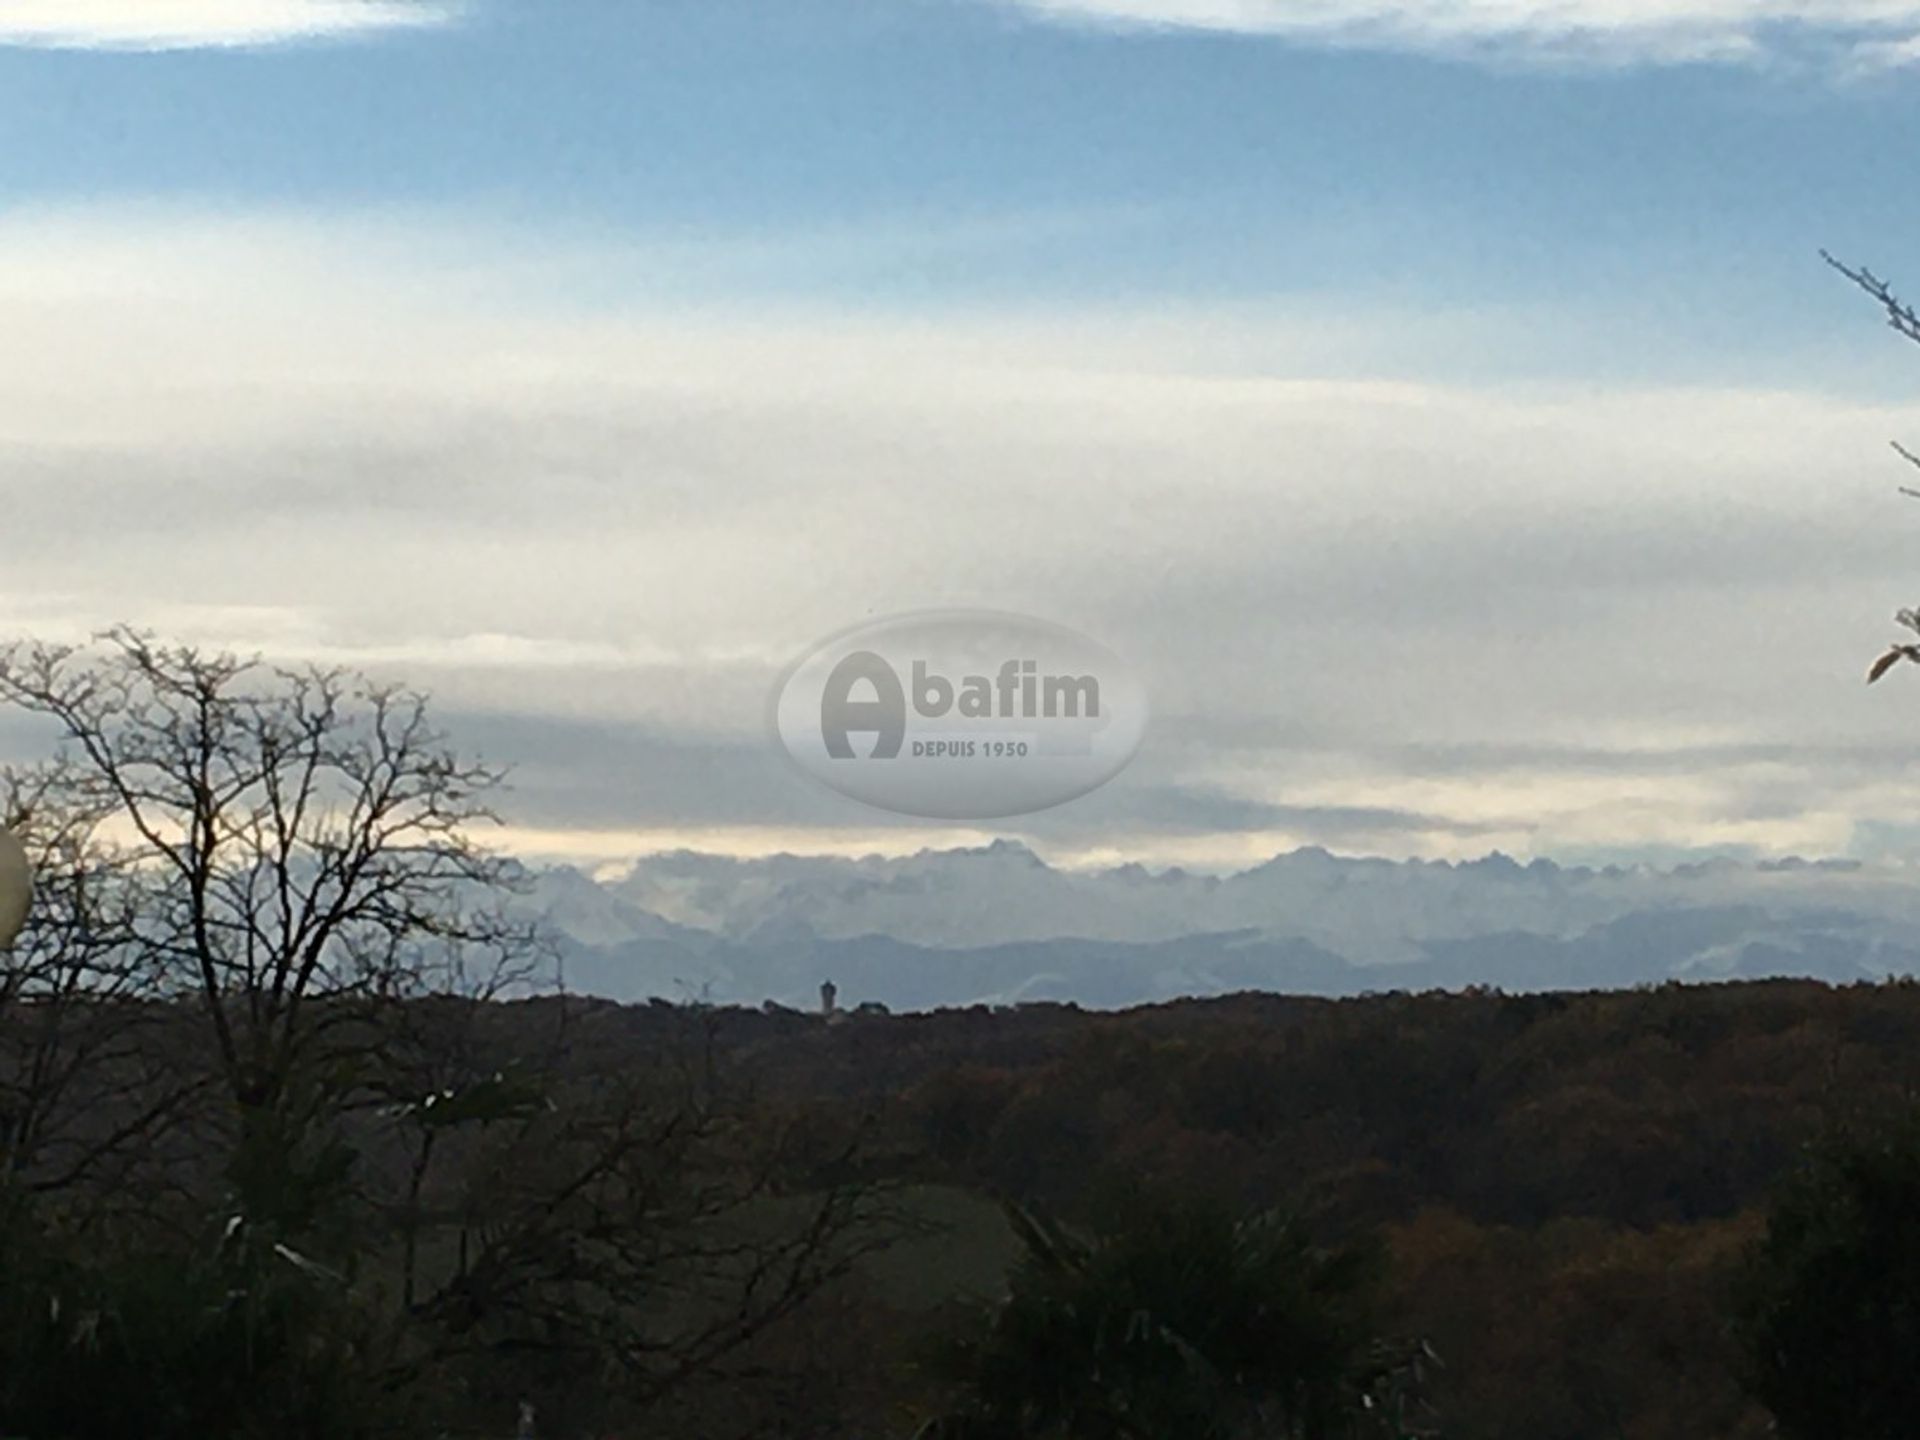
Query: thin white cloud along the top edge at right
1573	32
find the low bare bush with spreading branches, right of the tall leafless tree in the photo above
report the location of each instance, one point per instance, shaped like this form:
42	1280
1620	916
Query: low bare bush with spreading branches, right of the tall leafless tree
636	1230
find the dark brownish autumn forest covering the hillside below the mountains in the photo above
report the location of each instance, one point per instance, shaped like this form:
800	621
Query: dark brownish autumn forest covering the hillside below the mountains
1564	1186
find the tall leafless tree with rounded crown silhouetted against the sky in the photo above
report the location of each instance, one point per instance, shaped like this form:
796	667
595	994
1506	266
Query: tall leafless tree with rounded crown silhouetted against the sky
302	840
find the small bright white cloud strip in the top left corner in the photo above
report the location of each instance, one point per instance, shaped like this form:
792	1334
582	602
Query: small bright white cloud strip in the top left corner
204	24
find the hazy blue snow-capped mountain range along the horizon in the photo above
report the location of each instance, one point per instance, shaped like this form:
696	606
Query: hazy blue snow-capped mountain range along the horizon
999	926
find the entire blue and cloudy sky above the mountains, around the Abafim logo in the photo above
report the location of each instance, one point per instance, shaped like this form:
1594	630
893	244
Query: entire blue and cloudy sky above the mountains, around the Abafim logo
1441	404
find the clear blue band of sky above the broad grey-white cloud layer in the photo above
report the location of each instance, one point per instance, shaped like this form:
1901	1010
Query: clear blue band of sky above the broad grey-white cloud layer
1080	164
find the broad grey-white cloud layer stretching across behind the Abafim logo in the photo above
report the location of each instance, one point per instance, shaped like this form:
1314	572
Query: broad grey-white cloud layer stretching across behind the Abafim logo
1464	613
